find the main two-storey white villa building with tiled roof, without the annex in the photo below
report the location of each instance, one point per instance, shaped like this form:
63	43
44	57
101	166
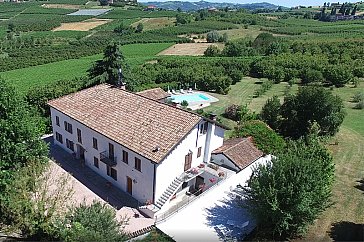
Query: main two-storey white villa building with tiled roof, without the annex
139	144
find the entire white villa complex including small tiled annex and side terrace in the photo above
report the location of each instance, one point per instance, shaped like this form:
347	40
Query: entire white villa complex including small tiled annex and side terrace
163	156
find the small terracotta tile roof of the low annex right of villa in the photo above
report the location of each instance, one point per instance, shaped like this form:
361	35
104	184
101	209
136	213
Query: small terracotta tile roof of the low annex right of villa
241	151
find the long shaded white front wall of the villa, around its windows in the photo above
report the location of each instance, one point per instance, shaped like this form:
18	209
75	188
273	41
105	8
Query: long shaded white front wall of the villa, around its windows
142	189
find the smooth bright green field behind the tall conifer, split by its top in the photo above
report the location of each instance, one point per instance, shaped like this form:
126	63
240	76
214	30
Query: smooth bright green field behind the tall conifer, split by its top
30	77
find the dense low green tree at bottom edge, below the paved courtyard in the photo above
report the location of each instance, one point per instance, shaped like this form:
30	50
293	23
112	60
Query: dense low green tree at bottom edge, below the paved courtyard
95	222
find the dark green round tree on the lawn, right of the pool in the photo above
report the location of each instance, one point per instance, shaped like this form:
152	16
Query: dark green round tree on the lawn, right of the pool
311	104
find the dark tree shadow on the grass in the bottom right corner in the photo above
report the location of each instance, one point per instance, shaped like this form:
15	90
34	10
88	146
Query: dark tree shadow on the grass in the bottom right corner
347	231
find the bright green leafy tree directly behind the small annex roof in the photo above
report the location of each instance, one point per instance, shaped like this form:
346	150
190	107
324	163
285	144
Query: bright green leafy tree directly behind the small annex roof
266	139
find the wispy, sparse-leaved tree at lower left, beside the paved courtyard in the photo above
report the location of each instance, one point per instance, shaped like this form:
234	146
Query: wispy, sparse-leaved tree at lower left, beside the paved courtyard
34	200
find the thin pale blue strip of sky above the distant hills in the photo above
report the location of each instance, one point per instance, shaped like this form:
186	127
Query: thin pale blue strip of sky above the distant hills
286	3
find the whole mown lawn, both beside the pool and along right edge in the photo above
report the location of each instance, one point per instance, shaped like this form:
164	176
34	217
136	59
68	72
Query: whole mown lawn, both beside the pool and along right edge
340	221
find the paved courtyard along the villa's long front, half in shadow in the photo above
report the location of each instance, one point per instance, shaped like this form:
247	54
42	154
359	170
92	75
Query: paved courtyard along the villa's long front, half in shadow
89	186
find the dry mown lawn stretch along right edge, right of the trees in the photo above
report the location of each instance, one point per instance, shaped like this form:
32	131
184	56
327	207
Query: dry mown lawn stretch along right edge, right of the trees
341	221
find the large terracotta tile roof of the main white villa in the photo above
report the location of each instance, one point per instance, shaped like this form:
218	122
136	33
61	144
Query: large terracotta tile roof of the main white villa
138	123
